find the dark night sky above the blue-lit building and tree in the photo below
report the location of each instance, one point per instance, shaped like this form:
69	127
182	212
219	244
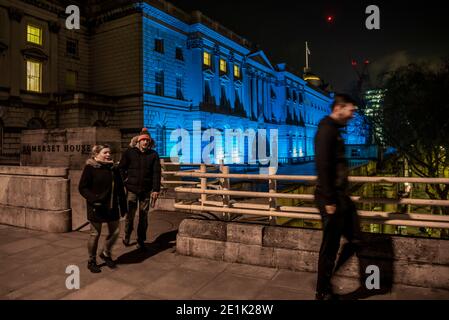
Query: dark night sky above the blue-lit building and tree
410	32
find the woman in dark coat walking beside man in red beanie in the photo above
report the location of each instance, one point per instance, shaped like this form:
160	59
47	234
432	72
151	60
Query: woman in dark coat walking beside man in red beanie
102	187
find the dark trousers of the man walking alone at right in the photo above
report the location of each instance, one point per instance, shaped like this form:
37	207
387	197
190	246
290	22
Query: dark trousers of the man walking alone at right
344	222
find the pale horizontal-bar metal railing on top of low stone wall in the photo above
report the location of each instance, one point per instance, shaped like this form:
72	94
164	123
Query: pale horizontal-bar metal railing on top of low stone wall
227	206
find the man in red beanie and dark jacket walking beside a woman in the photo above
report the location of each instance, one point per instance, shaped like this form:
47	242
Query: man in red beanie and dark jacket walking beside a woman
141	171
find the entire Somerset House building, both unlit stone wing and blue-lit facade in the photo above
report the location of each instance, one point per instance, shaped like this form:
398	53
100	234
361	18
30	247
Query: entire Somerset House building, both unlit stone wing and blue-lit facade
135	64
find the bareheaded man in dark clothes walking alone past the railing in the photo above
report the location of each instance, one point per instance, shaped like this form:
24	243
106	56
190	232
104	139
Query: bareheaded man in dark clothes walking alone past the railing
338	212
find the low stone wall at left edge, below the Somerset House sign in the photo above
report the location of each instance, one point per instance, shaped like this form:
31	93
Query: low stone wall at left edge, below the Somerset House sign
35	198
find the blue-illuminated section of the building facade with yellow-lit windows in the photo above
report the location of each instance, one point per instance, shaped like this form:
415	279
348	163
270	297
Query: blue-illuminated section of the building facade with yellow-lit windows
197	70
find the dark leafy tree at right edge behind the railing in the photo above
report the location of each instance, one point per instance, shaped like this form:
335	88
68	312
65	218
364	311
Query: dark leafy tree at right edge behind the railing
415	120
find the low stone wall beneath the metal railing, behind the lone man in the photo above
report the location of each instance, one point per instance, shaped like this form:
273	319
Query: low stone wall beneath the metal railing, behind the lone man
411	261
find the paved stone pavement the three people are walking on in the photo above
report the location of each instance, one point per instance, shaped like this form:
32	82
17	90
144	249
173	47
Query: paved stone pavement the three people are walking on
33	266
